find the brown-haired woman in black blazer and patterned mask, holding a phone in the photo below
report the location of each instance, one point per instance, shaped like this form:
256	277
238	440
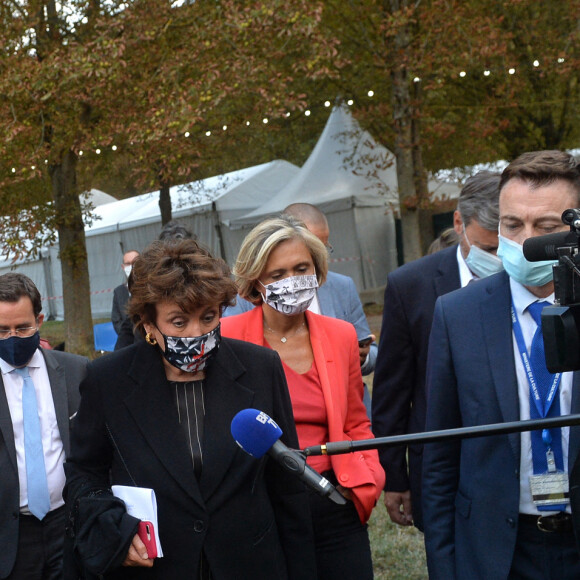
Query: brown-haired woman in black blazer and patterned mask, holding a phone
157	415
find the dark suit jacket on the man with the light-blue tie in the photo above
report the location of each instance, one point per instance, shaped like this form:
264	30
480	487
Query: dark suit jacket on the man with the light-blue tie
65	372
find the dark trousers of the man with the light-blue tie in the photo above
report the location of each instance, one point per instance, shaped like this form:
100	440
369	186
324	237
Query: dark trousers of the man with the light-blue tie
40	544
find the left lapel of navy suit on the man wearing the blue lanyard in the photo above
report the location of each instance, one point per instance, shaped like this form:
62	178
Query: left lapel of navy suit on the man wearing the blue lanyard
497	330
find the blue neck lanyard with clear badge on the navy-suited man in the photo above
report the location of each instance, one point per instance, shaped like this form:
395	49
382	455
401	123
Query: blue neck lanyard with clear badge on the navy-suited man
551	487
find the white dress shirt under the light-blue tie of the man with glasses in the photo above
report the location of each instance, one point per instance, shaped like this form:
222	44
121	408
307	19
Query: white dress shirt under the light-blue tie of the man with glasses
51	440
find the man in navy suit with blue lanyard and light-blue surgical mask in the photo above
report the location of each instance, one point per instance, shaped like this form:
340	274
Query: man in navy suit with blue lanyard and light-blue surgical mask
498	507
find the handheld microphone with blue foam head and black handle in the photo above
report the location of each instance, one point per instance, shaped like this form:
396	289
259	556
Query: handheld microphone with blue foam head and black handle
257	434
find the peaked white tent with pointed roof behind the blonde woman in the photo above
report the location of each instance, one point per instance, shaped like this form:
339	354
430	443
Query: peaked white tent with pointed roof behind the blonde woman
353	180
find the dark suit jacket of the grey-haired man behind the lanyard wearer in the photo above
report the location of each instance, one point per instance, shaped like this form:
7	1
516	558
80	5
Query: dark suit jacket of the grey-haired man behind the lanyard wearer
399	400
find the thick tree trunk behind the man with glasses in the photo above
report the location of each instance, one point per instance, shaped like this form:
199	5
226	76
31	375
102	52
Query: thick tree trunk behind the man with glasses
73	257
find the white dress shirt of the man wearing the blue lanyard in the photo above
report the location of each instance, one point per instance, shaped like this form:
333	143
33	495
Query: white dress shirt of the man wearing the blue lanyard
522	298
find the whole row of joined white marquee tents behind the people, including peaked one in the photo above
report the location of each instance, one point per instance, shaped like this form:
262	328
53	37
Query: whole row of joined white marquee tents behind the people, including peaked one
348	175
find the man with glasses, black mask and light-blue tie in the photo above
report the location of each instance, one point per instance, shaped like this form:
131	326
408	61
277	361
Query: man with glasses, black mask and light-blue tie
39	395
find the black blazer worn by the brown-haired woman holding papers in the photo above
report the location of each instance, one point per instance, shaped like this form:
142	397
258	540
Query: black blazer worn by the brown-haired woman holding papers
250	518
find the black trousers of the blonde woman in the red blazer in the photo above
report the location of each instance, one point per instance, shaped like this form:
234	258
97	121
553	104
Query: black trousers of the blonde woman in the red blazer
342	543
